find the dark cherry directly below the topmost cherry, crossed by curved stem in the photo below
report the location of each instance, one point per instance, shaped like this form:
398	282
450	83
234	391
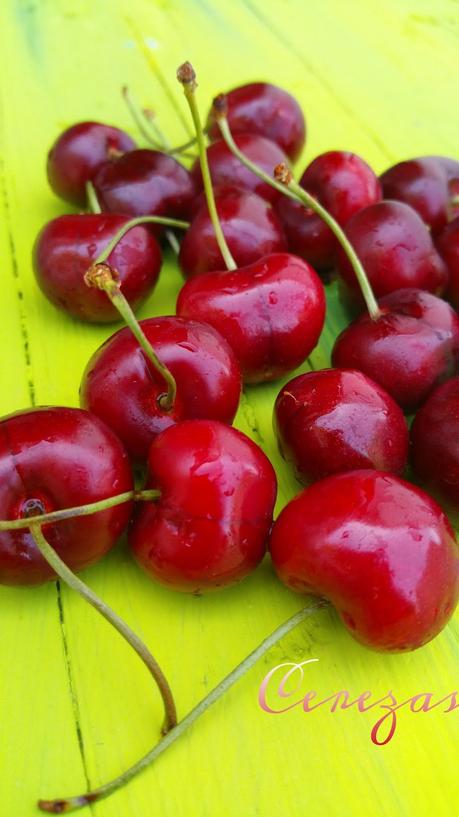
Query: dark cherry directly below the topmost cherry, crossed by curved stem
225	168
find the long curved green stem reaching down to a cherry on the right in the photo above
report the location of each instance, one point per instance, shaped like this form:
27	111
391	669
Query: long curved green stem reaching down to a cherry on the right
285	184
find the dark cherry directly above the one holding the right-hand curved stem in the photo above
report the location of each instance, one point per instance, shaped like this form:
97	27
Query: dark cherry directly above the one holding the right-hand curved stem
395	248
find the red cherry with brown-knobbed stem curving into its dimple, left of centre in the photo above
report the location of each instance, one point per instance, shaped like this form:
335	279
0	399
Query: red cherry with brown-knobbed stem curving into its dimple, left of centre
121	387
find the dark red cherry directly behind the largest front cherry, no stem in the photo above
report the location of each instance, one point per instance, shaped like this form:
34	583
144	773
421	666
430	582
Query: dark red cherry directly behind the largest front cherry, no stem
339	420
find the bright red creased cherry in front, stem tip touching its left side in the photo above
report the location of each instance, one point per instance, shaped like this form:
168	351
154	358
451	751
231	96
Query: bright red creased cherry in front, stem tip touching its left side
210	526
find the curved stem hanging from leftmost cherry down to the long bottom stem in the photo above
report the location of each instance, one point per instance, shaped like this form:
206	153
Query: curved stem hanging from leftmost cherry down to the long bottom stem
124	630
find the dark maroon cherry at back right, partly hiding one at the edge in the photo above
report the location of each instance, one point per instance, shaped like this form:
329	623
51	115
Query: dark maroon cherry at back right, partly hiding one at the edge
423	184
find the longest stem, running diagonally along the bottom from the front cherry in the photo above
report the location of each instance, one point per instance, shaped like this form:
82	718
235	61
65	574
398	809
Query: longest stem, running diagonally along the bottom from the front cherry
61	806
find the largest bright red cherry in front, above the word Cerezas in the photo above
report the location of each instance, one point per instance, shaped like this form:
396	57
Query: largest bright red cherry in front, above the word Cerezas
381	550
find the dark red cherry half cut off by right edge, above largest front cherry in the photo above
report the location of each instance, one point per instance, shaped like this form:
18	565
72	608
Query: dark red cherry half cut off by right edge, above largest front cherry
435	440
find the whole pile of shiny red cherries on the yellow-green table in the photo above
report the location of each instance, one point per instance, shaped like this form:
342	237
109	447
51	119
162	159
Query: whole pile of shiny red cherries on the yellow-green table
164	392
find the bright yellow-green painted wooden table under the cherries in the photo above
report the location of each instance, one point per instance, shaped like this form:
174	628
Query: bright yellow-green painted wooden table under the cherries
377	78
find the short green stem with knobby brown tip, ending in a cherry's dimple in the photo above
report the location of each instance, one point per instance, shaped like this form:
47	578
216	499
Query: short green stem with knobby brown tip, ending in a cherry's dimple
103	276
